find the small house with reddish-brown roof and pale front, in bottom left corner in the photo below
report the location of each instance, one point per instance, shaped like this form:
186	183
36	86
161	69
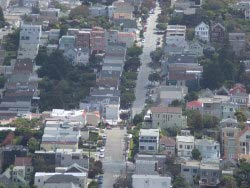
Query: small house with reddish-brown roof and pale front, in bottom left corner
23	169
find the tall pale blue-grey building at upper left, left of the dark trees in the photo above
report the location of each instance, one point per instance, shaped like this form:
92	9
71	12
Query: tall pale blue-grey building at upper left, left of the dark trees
30	36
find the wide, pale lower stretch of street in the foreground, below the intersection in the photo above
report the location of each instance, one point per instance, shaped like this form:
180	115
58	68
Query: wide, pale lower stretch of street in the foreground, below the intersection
114	160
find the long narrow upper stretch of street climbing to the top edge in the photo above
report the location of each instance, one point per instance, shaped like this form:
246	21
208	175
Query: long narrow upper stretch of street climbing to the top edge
142	79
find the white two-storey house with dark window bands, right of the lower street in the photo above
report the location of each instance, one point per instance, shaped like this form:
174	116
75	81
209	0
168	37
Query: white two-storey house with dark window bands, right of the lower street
149	140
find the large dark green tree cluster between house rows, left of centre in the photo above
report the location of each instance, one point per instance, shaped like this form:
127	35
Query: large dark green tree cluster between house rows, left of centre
63	85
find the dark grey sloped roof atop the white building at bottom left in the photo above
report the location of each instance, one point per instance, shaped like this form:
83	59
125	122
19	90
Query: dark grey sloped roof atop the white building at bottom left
59	178
